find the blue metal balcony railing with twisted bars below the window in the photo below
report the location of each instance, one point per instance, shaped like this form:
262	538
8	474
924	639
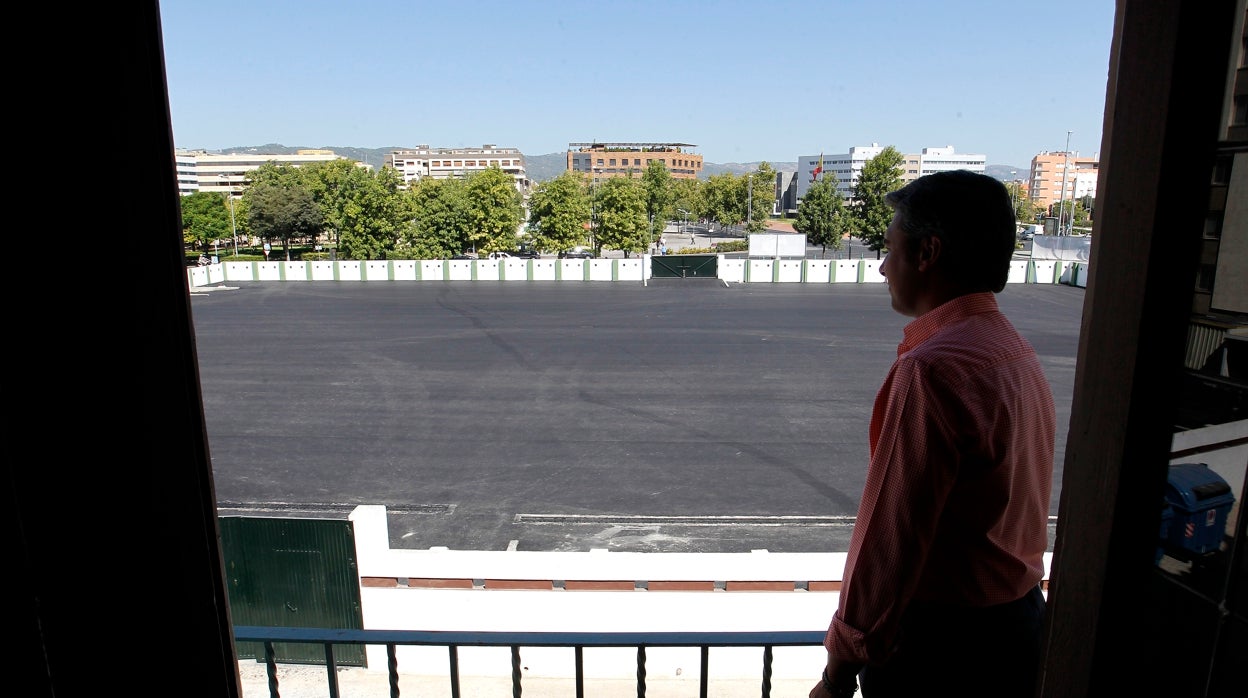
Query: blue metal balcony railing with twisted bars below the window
516	641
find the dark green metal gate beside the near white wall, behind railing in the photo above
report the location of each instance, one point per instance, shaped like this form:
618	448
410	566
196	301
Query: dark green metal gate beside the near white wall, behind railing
294	574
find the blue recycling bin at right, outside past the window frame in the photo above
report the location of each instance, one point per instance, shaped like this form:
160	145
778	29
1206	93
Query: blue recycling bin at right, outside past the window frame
1201	501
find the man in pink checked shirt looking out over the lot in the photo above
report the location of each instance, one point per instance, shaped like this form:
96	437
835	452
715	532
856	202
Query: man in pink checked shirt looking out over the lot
942	587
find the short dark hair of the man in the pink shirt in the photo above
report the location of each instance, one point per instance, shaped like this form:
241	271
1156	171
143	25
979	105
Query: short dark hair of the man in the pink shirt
973	217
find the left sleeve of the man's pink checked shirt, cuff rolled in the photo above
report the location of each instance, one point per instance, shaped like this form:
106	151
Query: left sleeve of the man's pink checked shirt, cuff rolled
912	471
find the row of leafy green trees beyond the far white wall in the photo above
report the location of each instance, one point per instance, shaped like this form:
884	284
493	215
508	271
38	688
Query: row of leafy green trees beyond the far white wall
368	215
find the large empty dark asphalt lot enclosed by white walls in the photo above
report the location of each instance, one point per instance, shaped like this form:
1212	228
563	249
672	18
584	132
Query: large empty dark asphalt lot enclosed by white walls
683	416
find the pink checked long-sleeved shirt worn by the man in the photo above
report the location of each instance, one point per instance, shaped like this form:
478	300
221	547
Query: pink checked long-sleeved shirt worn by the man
955	508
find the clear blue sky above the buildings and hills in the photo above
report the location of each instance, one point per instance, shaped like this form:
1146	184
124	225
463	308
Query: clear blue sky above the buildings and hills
743	81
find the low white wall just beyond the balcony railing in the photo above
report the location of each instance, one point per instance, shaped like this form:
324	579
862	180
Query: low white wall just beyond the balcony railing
394	599
